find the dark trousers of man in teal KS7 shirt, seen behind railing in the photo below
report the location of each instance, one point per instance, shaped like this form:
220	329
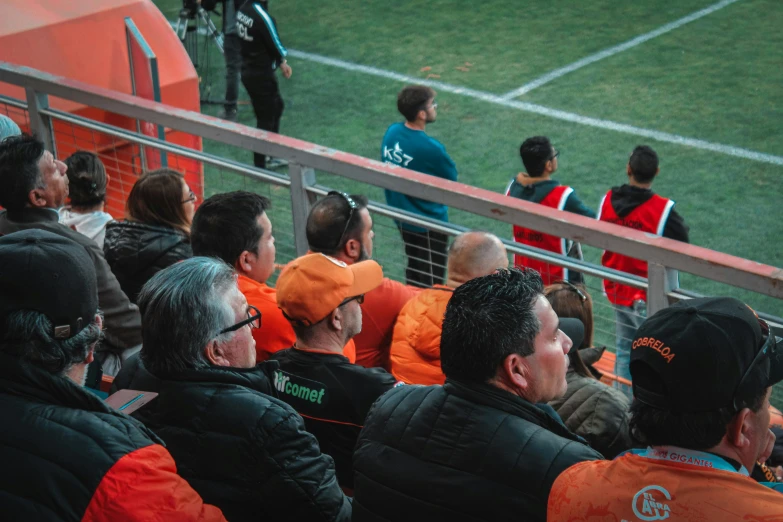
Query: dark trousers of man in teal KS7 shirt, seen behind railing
426	257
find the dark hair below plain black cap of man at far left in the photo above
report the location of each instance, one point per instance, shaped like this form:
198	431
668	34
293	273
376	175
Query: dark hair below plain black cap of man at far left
27	334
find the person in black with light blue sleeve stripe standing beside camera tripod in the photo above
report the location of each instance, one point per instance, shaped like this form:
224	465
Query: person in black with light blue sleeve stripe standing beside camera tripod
262	54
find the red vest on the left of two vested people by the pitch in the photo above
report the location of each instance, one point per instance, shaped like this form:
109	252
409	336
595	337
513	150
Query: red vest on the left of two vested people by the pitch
549	273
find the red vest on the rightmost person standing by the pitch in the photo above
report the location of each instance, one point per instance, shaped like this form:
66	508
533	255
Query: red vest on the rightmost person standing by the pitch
649	217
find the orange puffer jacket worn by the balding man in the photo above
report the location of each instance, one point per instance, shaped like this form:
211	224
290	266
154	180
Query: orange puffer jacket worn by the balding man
415	350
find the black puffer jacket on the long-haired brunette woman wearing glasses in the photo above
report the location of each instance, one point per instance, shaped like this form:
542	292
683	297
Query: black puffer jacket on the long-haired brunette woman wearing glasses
136	252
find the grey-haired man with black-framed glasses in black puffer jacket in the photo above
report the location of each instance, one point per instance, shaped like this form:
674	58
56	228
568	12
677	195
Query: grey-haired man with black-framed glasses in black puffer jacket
237	445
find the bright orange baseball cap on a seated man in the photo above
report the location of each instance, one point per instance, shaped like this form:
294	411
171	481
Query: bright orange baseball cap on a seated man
310	287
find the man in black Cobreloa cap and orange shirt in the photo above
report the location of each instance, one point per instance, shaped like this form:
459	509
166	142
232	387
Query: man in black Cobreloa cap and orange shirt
702	375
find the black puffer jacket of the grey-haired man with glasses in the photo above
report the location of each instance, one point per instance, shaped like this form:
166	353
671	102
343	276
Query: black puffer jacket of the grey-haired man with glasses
245	451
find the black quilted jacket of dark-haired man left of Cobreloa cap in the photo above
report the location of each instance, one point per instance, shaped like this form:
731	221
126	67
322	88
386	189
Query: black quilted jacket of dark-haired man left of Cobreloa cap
460	452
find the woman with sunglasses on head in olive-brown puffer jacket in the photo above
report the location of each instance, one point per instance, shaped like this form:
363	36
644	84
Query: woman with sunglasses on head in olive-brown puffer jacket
591	409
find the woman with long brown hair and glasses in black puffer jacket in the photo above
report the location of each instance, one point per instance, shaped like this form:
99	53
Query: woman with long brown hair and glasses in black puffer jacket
156	231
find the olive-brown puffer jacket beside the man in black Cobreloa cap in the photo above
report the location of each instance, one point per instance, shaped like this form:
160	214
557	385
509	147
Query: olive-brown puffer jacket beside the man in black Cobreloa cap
595	411
